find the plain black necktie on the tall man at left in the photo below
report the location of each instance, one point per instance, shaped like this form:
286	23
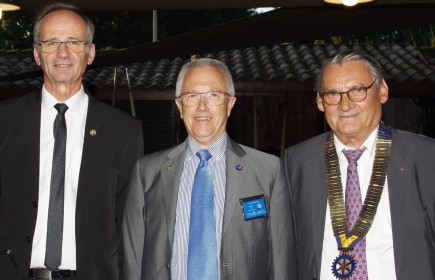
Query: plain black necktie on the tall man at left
53	253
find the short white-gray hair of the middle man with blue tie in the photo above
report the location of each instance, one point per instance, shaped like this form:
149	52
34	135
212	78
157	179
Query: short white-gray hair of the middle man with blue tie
204	63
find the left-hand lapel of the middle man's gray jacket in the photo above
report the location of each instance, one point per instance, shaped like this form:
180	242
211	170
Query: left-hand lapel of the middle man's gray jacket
171	174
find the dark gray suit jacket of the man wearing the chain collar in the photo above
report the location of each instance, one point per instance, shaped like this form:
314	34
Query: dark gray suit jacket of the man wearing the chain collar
411	185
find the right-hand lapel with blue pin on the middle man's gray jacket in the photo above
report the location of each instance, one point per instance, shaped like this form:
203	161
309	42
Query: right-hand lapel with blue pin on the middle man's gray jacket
235	180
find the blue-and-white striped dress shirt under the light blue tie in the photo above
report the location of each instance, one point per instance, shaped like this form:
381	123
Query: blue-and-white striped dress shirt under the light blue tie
217	165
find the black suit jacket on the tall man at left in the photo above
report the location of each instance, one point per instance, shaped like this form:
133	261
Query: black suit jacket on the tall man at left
107	161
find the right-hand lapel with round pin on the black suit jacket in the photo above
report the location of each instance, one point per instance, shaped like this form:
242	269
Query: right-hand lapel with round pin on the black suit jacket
90	145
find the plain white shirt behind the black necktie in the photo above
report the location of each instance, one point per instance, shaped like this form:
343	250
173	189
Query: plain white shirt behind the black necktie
75	122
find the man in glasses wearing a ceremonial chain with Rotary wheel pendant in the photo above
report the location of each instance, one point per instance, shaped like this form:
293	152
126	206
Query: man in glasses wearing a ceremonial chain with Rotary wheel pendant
363	194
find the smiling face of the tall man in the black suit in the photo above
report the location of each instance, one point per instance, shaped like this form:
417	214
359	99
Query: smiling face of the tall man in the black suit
63	69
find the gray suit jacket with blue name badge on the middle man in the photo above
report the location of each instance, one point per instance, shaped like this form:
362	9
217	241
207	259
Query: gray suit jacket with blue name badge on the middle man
255	249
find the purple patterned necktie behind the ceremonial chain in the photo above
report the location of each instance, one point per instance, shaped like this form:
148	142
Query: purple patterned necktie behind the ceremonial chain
353	208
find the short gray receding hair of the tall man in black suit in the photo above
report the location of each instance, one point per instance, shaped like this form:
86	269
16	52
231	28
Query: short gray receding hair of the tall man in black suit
90	29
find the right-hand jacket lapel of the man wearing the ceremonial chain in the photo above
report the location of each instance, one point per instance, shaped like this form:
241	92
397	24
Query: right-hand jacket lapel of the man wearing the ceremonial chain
399	195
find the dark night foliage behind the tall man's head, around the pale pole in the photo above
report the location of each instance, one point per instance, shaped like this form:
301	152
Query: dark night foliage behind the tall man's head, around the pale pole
121	29
